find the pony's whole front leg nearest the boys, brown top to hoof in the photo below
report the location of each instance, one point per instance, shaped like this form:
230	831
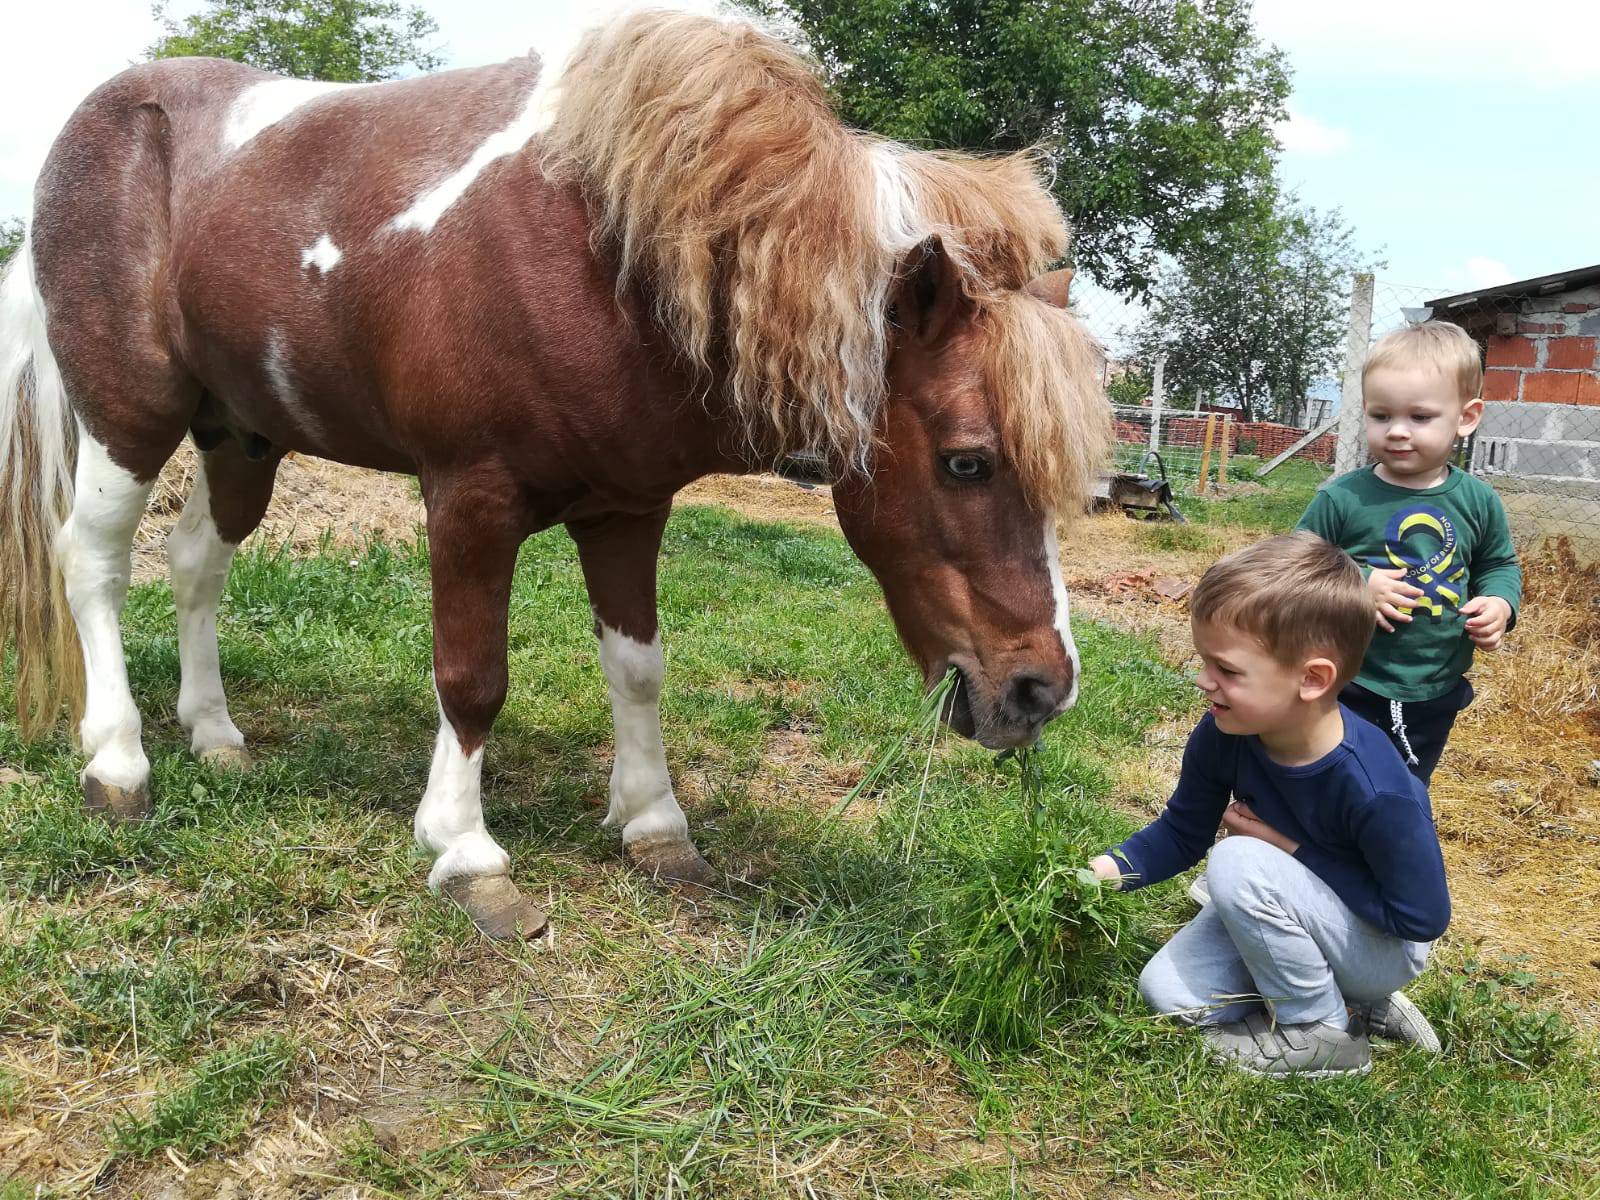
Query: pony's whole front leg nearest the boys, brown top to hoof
620	567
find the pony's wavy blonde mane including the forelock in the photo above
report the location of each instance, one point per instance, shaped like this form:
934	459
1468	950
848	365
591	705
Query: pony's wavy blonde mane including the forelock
769	238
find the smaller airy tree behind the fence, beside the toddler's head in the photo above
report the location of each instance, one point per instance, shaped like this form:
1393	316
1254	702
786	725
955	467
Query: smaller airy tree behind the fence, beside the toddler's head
1257	316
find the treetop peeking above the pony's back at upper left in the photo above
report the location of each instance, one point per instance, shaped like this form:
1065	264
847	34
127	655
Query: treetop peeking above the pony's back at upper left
343	41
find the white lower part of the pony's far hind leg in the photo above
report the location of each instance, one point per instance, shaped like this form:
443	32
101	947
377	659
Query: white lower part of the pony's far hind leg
199	561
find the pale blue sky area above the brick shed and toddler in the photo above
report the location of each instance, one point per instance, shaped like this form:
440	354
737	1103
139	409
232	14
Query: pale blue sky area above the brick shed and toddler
1457	137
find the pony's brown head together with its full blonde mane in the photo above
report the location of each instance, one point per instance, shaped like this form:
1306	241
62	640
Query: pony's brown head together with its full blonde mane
868	306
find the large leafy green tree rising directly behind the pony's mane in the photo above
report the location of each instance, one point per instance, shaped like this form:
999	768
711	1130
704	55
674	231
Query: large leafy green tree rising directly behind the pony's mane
1156	116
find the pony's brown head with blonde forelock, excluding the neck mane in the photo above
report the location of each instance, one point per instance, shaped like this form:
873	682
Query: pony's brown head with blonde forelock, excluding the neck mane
990	430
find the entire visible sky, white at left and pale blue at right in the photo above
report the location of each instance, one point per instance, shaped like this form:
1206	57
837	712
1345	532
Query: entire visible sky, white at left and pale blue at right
1457	138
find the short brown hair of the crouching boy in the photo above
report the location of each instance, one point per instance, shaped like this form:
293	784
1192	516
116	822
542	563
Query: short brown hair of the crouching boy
1297	594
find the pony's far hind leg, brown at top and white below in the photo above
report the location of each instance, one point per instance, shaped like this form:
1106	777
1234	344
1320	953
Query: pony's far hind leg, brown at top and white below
230	498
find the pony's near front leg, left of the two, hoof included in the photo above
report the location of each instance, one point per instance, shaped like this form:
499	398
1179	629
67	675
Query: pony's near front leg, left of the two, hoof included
474	532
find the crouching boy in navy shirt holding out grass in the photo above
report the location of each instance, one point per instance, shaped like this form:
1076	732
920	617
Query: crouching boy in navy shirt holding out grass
1330	889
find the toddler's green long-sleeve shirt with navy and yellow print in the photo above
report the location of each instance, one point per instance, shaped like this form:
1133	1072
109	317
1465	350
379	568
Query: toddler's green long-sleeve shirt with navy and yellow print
1455	545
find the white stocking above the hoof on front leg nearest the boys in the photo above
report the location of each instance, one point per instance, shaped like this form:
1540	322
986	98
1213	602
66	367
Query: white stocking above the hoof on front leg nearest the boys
642	801
